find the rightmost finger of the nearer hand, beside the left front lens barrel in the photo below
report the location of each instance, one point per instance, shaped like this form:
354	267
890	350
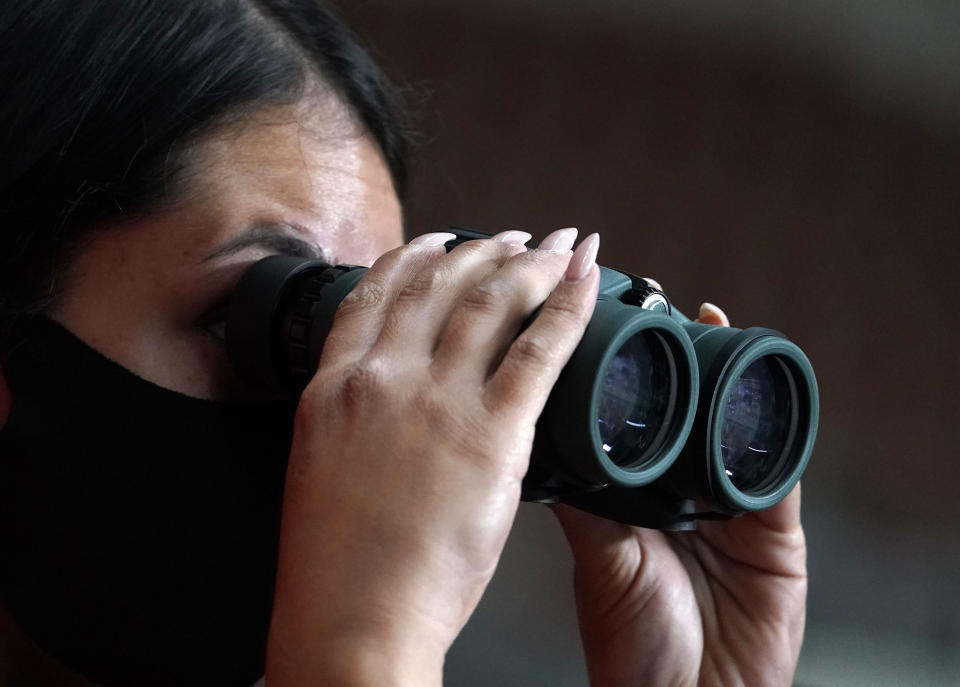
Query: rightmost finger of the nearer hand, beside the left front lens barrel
533	362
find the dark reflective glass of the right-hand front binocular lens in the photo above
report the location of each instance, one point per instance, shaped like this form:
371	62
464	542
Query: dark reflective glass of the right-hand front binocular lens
759	418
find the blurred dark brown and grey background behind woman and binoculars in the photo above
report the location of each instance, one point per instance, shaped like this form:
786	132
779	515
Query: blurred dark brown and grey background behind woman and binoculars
798	164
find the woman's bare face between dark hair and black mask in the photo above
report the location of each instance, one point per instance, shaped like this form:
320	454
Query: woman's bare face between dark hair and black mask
301	180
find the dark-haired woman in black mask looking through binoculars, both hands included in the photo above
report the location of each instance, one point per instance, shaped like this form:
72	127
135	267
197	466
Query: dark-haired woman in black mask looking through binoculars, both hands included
152	151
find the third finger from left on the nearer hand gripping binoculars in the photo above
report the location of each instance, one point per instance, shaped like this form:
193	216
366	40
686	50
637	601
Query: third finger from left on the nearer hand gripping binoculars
486	320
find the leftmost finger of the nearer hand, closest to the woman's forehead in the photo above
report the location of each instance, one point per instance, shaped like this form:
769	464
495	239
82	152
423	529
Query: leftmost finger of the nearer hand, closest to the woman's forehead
361	315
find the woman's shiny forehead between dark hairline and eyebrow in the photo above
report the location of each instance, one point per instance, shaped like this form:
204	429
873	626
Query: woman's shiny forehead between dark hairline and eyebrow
310	166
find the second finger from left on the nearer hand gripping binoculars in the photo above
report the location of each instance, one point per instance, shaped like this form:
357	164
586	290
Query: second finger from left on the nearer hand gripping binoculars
422	307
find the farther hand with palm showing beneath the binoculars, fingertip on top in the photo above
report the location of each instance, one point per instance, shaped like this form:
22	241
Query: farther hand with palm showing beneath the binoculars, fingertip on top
724	605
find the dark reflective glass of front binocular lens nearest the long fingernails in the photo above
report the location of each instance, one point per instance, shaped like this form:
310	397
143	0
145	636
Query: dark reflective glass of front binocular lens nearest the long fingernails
637	400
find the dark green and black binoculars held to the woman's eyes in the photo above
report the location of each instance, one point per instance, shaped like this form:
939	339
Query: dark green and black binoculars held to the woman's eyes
655	421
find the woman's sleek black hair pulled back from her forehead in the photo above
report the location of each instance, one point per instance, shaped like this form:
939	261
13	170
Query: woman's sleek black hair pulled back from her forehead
101	97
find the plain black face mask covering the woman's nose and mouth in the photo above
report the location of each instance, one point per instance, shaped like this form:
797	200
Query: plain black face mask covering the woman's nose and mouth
138	526
